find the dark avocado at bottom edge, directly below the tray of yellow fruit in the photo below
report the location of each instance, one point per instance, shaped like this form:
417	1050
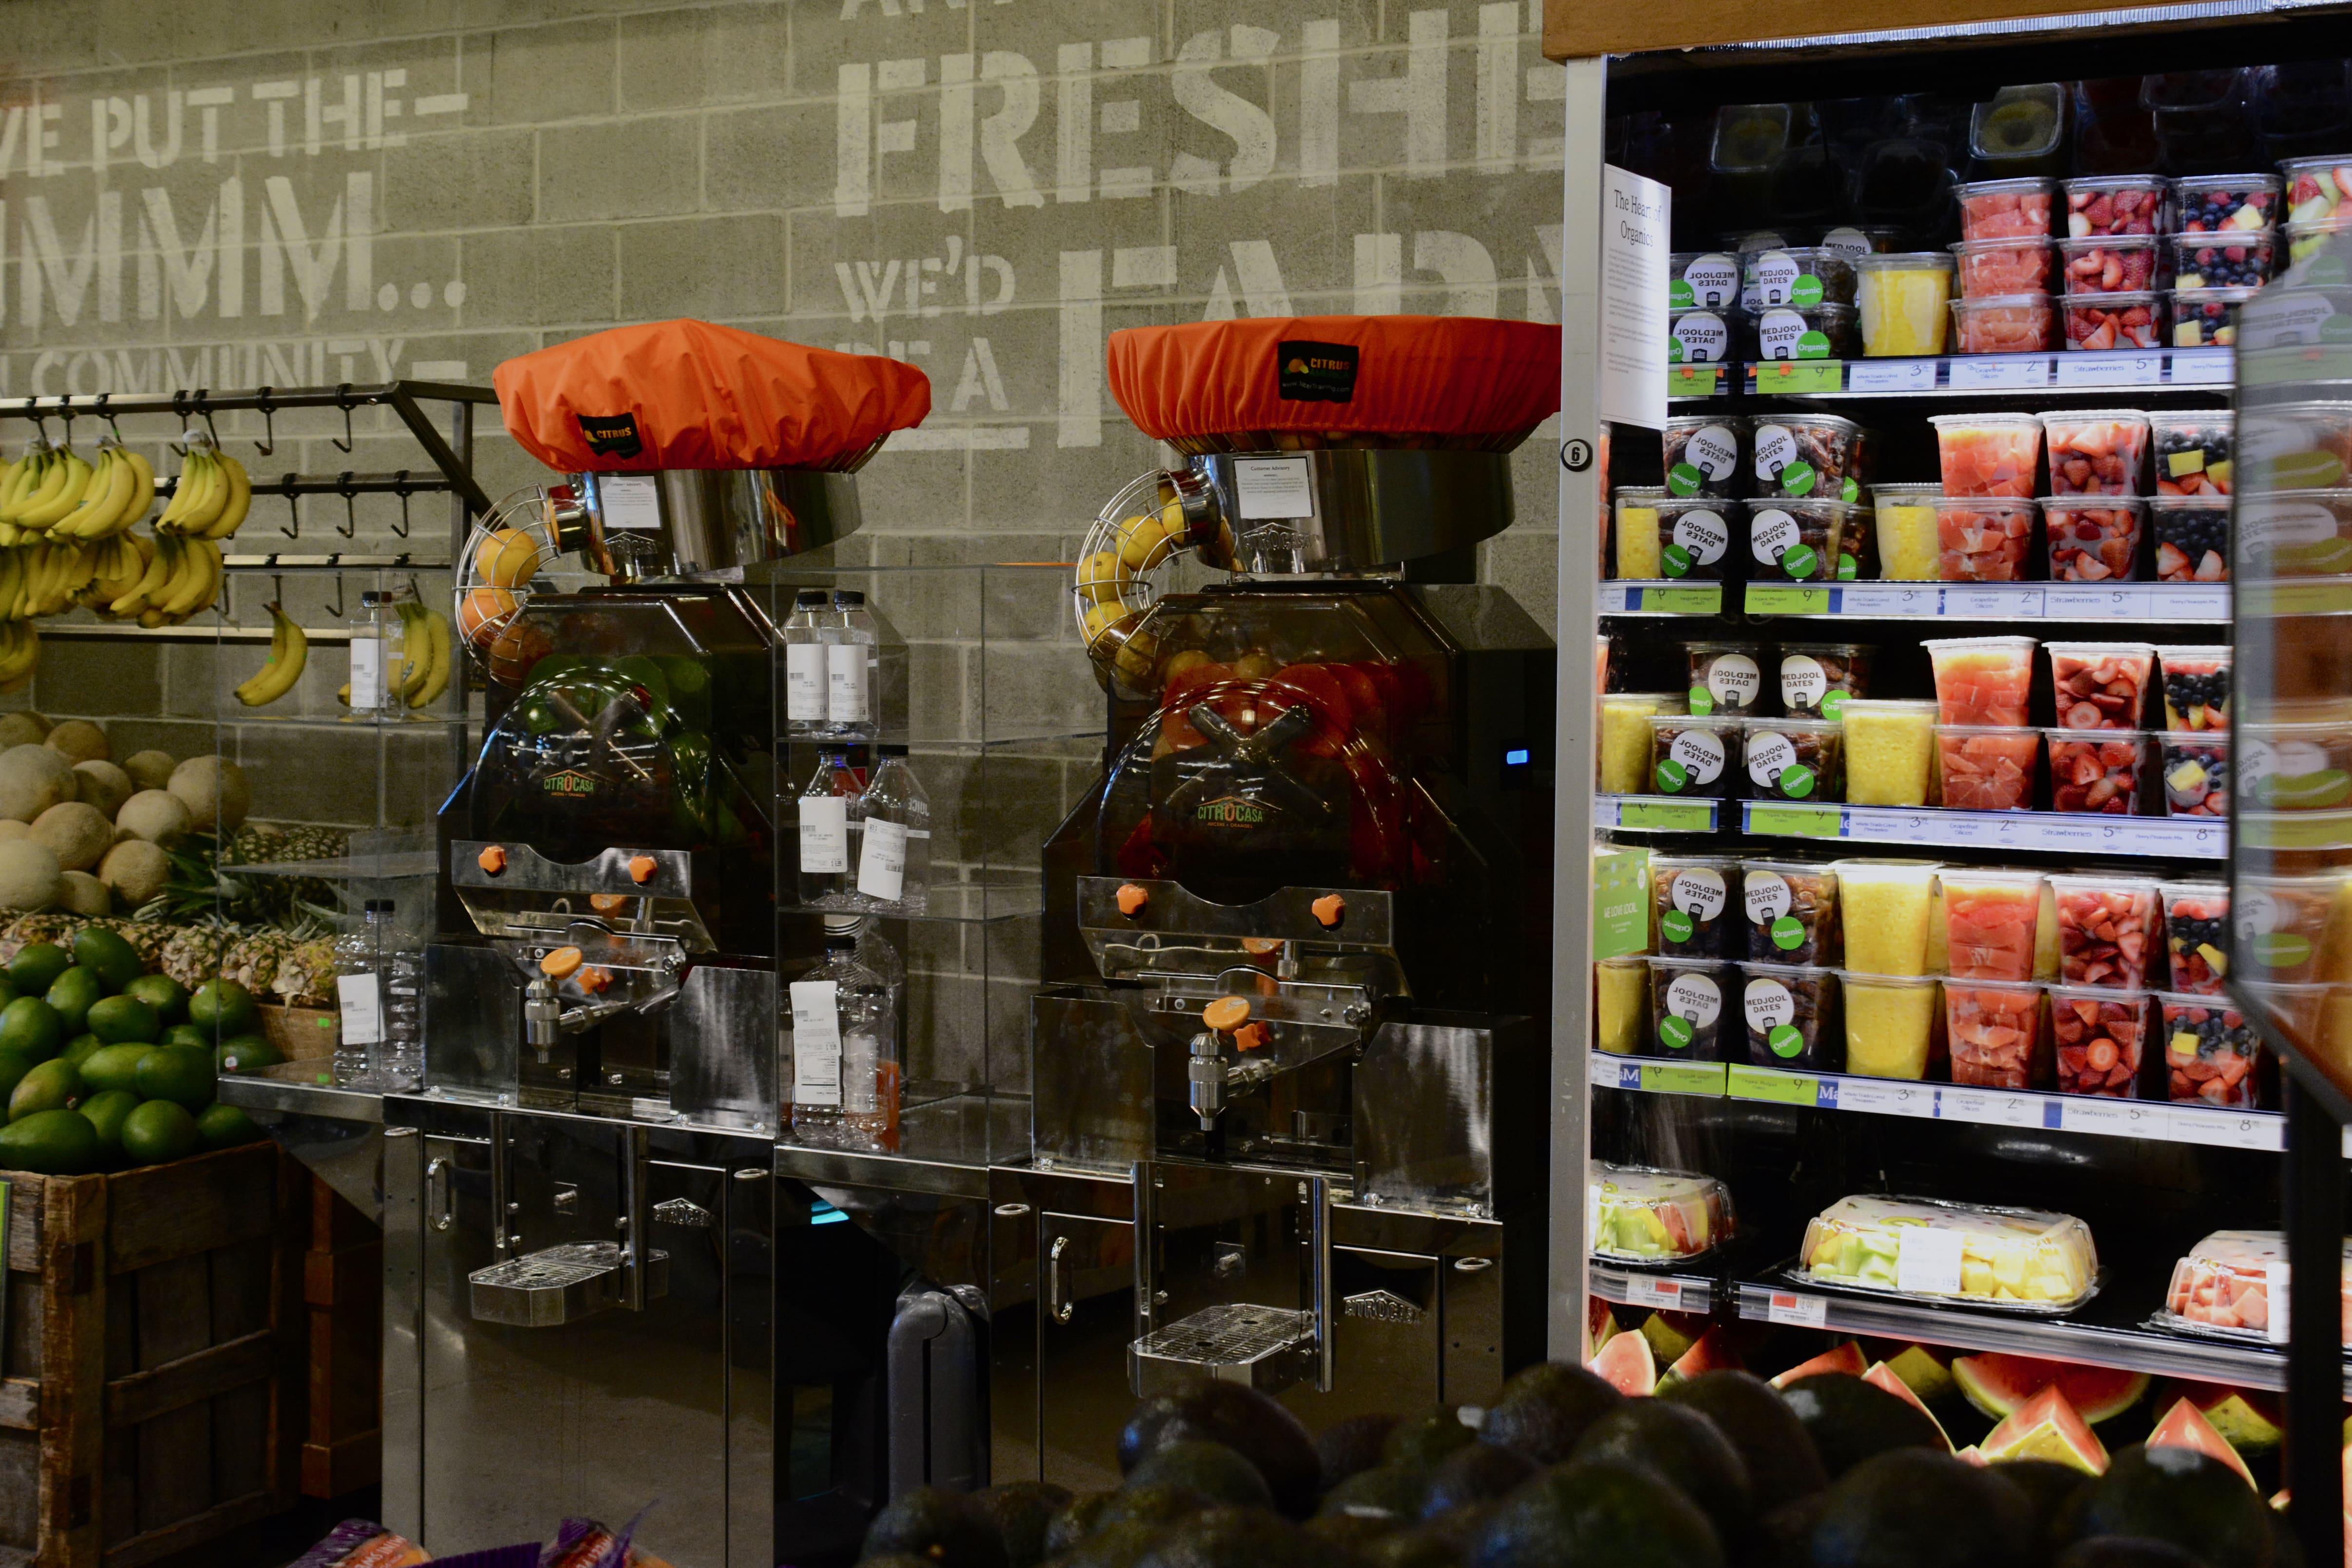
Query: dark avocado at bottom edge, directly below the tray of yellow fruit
1911	1508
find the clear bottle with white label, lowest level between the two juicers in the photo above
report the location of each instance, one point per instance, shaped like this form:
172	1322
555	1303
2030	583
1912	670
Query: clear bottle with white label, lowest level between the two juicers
846	1050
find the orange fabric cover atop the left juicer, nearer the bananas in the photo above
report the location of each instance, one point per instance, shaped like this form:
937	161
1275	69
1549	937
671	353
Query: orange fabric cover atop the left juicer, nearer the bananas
697	396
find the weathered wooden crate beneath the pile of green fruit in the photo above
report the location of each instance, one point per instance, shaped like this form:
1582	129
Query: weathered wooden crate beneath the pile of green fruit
152	1391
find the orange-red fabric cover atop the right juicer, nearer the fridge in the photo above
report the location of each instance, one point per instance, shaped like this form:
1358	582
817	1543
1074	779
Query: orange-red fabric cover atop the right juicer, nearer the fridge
1426	375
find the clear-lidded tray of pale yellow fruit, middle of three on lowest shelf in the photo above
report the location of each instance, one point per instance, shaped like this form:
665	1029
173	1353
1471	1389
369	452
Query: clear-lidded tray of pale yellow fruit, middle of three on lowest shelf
1932	1249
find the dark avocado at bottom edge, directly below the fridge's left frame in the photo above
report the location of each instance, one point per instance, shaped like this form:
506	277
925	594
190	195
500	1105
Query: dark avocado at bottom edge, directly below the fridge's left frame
1603	1513
